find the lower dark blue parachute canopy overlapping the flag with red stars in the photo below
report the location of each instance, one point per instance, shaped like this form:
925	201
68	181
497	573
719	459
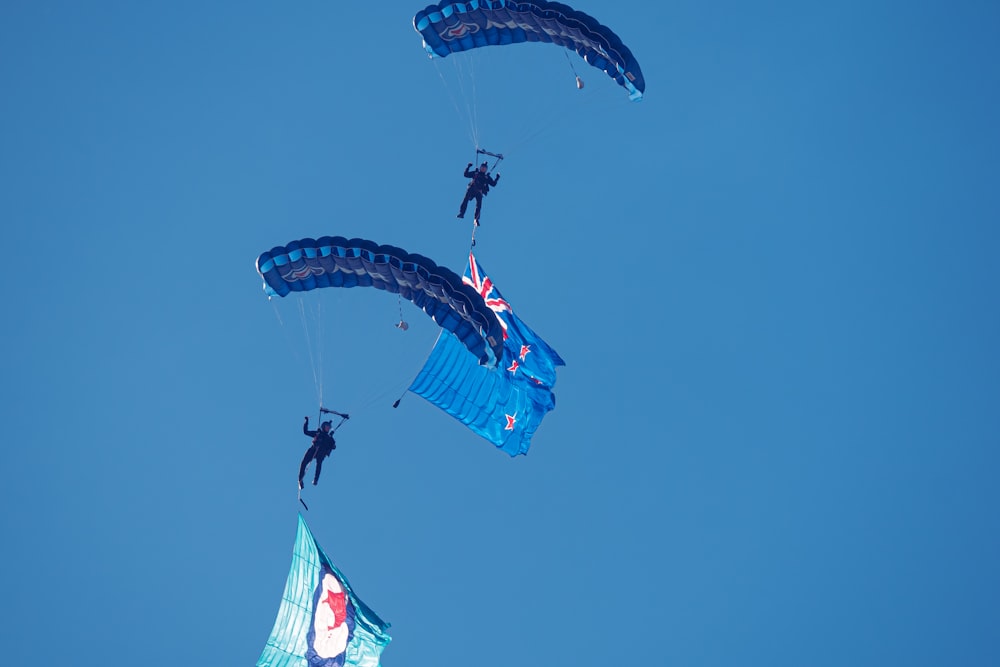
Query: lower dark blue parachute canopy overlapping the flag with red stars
333	261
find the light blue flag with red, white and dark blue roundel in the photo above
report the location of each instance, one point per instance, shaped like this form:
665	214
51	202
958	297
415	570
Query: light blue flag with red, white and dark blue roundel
321	623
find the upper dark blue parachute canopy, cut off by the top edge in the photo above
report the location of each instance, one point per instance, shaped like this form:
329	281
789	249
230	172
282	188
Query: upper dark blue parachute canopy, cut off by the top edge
449	27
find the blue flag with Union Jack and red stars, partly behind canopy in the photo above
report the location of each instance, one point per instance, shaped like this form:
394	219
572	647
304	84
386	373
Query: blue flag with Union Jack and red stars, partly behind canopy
505	404
